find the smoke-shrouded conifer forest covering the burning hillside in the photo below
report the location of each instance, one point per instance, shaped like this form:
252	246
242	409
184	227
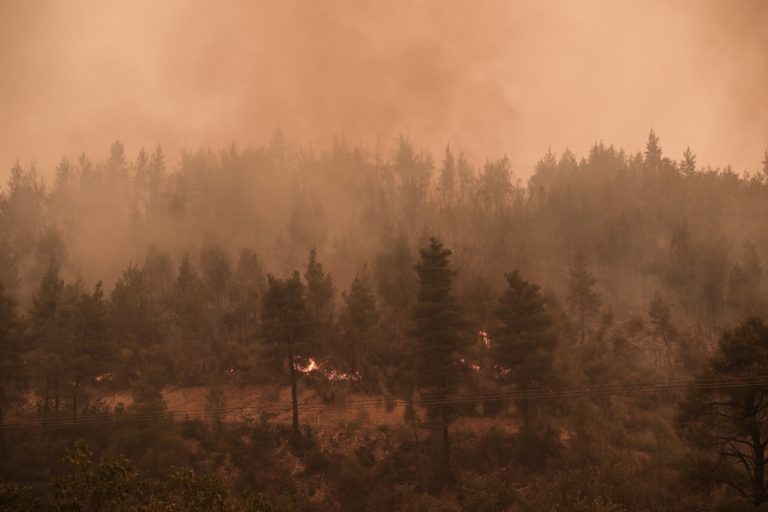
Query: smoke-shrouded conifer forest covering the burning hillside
279	328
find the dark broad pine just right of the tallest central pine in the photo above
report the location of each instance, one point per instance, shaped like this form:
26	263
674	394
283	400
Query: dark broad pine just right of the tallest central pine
524	342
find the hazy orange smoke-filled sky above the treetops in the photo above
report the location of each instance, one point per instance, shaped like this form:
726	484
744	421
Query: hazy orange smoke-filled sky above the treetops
487	77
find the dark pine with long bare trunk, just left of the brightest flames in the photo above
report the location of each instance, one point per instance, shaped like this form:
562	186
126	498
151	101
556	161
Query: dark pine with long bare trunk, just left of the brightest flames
285	324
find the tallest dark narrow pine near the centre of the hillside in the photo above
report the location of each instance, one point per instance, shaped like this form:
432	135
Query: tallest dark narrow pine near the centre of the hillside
437	328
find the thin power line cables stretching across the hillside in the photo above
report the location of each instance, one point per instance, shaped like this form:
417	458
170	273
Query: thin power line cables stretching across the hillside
369	403
